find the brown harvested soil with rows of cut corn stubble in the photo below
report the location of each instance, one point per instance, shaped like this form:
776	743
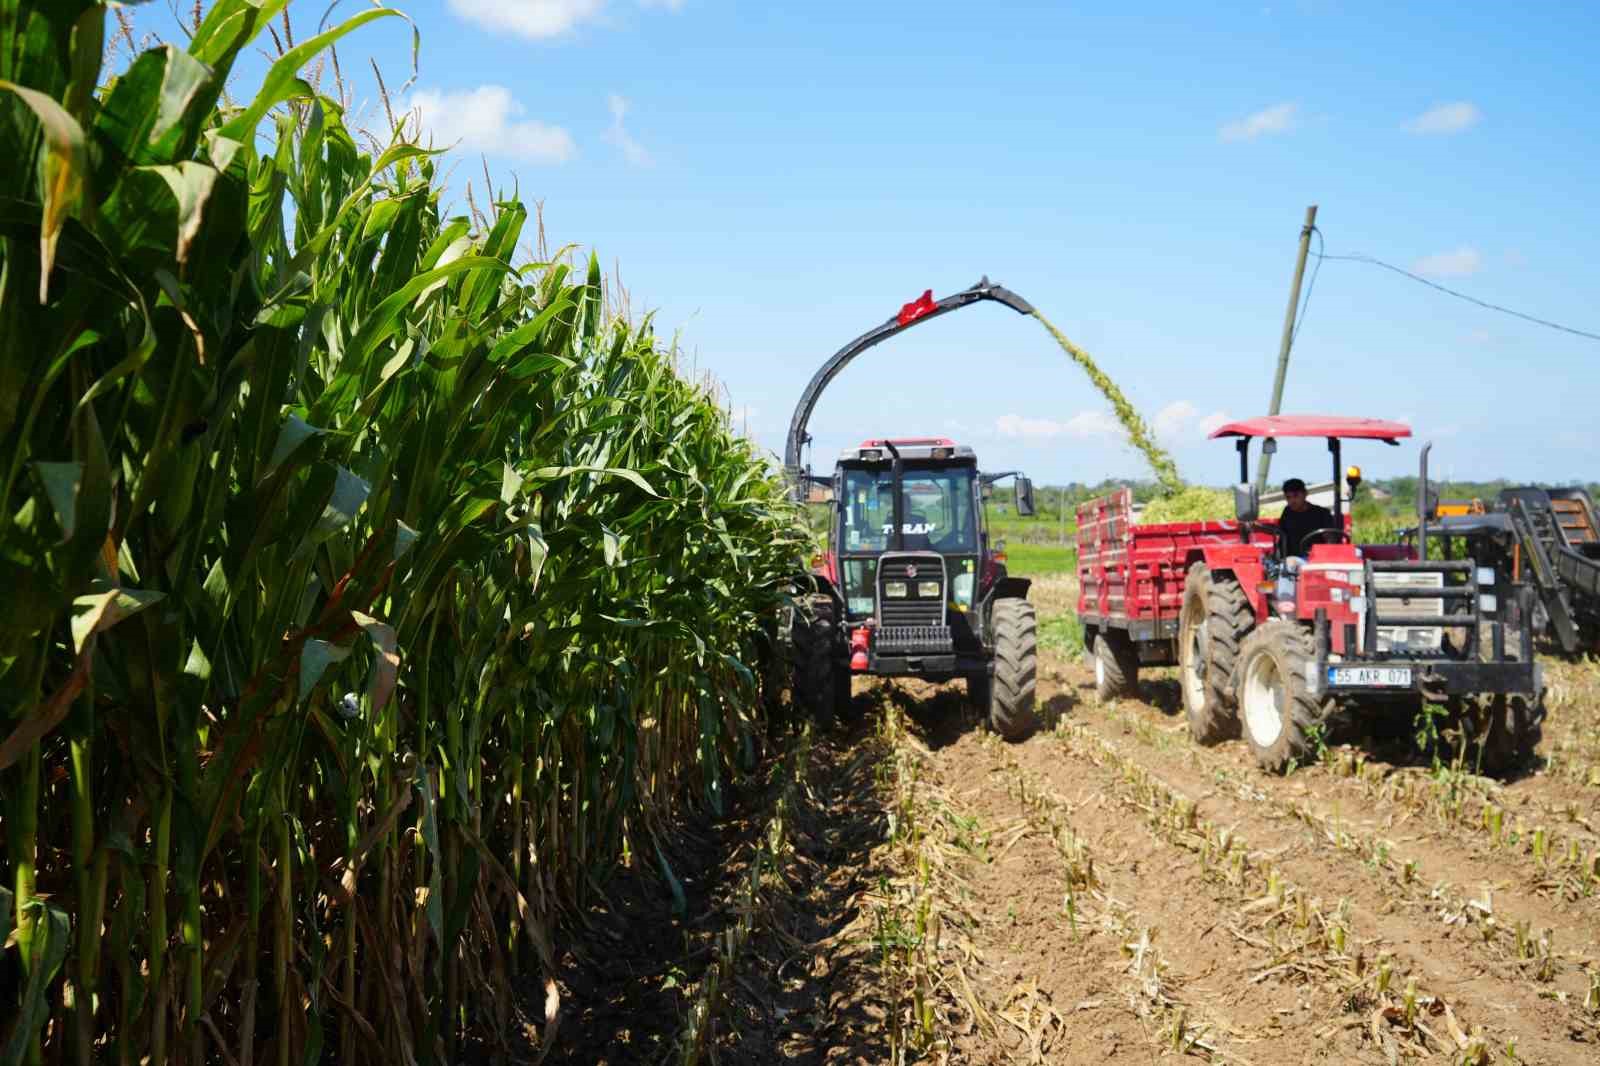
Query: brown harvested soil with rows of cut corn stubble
908	888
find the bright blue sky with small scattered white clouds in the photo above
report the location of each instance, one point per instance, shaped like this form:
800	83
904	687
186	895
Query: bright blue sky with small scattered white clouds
774	180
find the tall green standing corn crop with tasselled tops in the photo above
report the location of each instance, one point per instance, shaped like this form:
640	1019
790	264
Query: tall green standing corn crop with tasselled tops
372	590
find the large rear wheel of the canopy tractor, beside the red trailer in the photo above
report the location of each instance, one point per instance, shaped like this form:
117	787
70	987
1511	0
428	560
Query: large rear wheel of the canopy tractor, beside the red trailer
1212	628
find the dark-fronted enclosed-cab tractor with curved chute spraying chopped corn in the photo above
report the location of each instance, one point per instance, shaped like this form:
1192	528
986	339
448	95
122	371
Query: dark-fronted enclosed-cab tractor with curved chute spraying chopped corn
911	583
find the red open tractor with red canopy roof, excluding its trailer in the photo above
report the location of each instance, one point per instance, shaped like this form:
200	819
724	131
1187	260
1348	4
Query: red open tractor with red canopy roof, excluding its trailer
1274	638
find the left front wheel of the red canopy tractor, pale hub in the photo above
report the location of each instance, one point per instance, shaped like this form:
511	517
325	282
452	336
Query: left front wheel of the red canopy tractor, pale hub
1279	715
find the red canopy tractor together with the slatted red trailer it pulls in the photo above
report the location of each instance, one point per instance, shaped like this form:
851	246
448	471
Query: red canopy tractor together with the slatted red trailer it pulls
1273	639
